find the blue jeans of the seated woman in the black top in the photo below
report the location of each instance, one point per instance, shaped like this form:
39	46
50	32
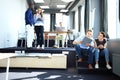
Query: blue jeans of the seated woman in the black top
102	52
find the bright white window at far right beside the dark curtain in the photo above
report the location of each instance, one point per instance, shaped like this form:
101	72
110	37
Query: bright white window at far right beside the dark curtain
112	19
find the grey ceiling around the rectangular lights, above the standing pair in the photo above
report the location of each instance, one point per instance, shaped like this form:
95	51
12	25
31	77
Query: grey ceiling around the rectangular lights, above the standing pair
53	5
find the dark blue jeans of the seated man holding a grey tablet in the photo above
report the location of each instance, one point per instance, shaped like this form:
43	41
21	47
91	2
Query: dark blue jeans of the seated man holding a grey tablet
90	51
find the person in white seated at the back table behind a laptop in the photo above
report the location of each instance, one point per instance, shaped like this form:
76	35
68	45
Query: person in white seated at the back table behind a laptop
59	36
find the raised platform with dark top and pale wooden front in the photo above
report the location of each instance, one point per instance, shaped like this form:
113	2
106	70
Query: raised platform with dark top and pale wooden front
59	58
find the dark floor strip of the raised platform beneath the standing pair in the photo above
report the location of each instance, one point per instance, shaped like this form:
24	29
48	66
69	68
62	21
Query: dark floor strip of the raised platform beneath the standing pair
35	50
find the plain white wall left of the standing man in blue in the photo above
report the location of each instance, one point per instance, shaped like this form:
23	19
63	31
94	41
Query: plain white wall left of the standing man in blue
11	21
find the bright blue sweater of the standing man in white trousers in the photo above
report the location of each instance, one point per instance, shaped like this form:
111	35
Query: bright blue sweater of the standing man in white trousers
29	17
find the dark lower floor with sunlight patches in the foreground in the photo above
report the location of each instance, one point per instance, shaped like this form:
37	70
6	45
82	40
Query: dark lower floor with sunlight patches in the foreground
53	74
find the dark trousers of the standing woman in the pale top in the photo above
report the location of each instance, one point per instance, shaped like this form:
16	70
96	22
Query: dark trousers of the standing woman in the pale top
39	30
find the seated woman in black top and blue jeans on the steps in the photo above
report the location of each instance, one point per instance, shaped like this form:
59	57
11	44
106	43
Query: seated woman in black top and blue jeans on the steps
101	48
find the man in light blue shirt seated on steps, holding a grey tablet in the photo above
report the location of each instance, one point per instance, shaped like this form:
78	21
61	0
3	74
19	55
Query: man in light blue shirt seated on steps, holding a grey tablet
87	45
